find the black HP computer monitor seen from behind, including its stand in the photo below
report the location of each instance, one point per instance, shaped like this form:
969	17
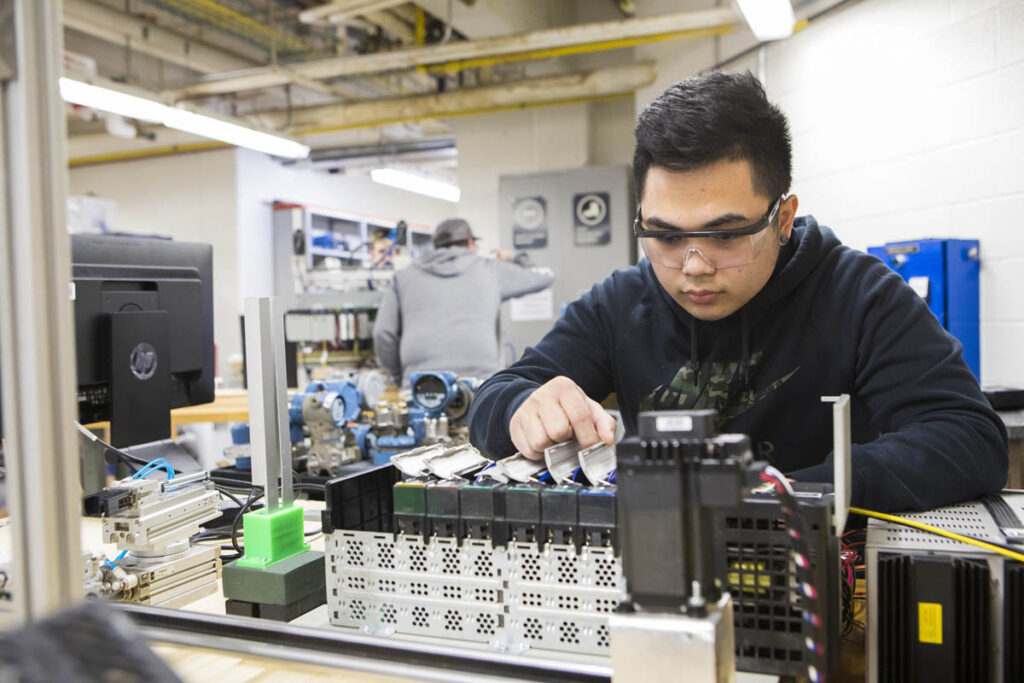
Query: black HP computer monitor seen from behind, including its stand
144	327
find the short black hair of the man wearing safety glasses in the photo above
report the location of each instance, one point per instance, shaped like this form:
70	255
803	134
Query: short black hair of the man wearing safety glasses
712	117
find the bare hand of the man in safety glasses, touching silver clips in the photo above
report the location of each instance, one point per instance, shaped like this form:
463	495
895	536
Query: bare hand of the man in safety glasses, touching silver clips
558	412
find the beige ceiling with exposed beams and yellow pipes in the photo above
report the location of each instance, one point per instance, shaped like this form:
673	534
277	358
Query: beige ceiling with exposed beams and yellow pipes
285	66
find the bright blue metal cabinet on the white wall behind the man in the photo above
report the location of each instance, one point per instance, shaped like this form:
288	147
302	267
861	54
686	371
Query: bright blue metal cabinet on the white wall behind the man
945	273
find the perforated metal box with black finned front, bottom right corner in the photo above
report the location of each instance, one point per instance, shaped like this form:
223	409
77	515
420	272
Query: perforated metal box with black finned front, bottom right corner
983	596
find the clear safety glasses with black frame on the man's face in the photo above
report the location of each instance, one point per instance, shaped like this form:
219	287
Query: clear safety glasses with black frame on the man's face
722	249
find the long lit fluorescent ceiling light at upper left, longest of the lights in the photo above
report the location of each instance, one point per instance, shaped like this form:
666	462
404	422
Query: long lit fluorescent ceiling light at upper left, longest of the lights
115	102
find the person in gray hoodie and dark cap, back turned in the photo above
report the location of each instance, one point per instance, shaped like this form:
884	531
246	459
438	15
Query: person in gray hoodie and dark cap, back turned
442	313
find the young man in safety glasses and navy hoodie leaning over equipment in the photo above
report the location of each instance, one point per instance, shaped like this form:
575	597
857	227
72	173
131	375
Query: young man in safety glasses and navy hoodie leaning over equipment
742	307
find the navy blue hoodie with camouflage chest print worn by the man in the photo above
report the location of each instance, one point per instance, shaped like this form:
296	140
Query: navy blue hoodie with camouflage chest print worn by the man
830	321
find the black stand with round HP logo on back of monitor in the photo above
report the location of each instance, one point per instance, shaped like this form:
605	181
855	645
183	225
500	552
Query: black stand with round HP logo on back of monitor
141	377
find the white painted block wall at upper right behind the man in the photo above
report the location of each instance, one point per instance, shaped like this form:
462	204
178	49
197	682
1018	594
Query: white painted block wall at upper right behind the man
909	122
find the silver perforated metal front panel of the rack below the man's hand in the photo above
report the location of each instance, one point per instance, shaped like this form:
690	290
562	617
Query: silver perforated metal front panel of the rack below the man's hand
514	600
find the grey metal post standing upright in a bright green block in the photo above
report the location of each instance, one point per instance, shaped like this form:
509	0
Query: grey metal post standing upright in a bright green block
269	401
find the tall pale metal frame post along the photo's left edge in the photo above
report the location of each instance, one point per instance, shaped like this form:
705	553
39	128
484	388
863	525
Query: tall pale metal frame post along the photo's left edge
36	330
